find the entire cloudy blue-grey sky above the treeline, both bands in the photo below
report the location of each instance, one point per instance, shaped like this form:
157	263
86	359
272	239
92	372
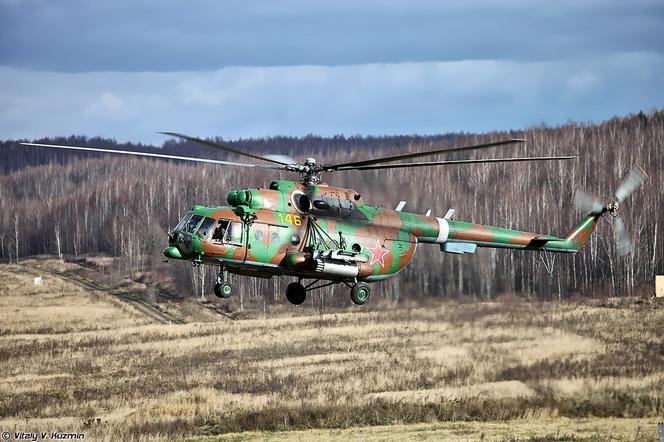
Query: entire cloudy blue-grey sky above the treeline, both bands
256	68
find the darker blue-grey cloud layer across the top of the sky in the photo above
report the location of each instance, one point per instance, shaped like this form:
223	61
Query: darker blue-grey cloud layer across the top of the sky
124	35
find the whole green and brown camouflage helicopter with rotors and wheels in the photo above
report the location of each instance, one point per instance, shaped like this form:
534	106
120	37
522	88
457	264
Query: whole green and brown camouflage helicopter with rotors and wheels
308	229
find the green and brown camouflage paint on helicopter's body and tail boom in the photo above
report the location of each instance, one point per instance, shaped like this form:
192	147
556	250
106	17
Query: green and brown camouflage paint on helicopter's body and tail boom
383	241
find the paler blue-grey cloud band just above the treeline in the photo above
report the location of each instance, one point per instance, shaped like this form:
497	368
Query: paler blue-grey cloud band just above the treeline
431	97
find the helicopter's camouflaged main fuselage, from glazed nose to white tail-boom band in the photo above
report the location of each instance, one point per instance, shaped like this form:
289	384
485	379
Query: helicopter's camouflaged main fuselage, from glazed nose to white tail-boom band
294	229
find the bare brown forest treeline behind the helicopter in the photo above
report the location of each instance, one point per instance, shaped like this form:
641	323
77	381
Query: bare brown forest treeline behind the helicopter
68	203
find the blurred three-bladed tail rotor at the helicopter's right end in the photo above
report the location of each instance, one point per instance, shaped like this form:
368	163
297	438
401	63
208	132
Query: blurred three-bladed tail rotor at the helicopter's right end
584	201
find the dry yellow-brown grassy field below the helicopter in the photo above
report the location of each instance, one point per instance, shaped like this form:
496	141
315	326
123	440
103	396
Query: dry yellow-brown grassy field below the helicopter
75	359
